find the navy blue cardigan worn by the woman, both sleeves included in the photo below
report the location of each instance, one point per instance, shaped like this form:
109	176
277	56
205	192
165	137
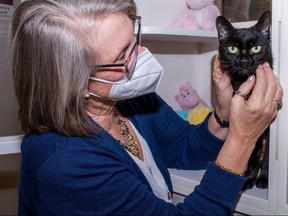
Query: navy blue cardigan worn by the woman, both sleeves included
63	175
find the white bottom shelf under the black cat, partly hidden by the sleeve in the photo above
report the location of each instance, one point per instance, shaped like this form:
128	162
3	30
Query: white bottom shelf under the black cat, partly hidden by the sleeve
184	182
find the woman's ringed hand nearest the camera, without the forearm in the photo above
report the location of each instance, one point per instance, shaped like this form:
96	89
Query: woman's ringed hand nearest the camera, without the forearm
249	118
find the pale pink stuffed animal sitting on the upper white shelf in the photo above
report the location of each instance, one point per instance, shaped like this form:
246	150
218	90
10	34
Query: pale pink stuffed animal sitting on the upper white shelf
200	14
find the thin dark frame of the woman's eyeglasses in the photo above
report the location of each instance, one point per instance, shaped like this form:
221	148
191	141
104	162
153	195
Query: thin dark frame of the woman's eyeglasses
126	62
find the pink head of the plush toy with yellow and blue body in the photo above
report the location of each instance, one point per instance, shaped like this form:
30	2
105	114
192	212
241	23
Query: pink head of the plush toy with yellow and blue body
188	97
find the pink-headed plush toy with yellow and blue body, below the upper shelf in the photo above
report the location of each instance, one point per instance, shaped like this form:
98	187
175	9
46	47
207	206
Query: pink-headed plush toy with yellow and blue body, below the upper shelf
194	108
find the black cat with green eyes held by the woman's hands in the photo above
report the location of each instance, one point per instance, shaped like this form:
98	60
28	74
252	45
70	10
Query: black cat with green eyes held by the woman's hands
241	51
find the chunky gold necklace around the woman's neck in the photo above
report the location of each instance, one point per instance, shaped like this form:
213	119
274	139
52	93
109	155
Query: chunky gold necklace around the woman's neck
129	143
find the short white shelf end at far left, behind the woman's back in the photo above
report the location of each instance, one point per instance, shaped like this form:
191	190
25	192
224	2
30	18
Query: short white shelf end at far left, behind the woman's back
10	144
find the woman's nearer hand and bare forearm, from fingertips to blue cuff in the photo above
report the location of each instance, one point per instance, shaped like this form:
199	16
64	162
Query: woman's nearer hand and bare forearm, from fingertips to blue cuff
249	118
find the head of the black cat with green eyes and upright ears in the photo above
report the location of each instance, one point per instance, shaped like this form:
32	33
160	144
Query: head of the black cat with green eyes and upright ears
242	50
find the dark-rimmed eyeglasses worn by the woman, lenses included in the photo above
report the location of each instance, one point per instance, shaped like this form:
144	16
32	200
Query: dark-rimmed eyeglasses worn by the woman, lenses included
131	60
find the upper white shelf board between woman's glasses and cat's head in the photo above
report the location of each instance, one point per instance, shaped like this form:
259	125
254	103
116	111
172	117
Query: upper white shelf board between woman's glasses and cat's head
153	33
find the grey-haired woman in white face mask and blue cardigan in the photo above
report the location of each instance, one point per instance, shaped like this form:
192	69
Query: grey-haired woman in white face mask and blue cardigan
99	139
